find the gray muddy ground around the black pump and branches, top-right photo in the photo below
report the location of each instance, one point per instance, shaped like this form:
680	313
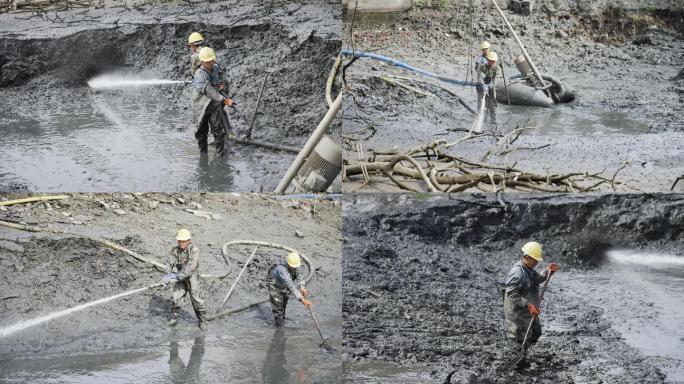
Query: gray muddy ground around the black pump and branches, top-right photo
625	59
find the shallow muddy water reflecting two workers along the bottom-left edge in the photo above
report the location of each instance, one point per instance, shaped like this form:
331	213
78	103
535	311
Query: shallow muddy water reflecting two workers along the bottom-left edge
258	355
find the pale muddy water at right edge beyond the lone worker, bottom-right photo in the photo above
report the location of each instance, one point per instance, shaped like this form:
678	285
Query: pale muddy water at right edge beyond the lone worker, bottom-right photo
640	294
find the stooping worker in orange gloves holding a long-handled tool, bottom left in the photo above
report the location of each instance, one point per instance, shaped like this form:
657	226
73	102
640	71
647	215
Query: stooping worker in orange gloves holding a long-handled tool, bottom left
281	282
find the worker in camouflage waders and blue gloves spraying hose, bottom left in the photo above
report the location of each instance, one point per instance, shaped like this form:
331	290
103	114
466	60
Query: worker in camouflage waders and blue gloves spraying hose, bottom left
182	270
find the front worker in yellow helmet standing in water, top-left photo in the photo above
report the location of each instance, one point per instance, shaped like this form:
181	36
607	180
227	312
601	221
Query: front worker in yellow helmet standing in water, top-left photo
208	102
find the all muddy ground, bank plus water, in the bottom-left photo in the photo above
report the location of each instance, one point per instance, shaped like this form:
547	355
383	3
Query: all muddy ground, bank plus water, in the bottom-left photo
127	340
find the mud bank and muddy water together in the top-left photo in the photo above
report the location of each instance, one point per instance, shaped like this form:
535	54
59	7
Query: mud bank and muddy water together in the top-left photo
142	138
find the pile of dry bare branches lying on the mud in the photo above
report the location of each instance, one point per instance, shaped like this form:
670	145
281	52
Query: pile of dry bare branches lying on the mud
441	171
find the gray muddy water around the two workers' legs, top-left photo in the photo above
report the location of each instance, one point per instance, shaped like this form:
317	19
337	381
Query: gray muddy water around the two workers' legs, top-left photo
121	140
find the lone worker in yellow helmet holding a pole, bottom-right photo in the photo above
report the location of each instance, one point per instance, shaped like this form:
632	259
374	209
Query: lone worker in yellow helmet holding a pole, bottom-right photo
521	296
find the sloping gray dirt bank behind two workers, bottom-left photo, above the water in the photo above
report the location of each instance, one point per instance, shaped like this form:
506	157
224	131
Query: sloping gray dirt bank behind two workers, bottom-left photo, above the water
48	272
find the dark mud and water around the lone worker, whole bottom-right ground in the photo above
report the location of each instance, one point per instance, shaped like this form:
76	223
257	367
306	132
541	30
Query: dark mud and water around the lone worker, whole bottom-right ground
421	279
